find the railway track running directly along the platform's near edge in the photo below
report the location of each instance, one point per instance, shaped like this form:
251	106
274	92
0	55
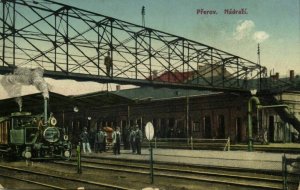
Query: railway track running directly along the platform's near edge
186	173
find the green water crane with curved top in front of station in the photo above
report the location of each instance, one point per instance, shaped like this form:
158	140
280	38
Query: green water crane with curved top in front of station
252	99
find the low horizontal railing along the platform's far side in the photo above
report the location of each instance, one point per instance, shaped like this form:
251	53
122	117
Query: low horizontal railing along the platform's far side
191	143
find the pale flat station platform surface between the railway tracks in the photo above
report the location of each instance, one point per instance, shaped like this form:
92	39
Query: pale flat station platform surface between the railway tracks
271	162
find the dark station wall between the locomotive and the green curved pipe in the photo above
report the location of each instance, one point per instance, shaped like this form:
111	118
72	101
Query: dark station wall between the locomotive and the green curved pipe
212	116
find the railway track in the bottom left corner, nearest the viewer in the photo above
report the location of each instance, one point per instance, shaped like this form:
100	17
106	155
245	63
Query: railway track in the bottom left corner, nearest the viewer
57	182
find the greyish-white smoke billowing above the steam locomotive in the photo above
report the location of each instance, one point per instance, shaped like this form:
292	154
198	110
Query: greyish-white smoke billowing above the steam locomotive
12	83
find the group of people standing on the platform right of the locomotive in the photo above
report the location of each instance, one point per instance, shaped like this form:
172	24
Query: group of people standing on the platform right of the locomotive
135	137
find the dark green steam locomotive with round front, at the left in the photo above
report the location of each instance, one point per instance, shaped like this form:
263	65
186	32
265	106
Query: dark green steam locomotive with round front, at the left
33	137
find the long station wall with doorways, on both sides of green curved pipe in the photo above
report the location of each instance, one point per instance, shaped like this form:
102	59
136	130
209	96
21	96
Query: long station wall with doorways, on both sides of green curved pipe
212	116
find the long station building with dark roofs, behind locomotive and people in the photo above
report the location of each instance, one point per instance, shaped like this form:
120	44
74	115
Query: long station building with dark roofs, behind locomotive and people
175	113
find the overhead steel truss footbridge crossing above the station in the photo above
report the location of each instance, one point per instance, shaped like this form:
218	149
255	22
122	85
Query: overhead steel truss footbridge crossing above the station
71	43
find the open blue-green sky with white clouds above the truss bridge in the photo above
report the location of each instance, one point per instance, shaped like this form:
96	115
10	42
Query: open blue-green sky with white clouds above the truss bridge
274	23
